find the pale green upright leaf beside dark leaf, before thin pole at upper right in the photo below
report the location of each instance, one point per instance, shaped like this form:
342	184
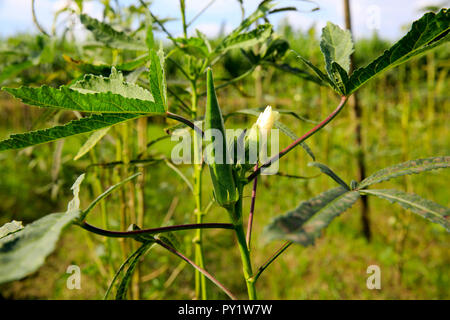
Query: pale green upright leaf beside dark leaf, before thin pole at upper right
337	46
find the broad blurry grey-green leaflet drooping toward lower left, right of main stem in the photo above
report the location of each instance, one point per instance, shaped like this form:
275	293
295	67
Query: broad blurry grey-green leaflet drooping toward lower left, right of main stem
305	223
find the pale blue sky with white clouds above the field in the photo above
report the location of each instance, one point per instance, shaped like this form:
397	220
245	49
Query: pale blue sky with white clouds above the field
389	18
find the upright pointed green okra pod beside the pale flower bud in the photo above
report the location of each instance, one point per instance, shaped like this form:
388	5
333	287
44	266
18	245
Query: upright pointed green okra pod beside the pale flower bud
221	170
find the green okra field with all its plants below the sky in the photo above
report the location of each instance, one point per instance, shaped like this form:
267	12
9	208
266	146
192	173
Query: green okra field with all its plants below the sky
266	162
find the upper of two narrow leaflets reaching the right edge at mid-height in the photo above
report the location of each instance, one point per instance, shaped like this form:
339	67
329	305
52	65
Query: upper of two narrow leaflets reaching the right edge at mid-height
405	168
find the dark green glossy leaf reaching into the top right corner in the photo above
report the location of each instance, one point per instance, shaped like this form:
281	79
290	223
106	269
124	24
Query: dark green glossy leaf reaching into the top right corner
426	33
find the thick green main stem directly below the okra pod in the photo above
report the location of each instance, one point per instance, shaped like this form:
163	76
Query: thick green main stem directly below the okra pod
236	215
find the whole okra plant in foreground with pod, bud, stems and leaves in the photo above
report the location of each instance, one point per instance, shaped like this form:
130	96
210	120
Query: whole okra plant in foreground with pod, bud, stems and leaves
135	90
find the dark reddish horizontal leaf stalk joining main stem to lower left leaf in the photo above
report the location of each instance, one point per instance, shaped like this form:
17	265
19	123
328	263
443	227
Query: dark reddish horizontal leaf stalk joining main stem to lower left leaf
134	233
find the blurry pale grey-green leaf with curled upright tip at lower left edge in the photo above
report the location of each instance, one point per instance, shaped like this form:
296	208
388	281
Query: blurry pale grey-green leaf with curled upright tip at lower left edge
24	251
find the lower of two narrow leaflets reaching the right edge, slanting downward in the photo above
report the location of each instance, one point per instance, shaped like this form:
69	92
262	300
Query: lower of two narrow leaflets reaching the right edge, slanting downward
425	208
